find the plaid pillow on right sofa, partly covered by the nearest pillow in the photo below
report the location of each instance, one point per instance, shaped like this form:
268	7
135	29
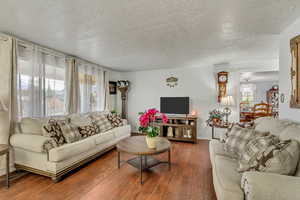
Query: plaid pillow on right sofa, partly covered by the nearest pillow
253	148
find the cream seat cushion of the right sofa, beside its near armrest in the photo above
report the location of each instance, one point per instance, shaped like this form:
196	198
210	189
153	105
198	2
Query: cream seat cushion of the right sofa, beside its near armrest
227	179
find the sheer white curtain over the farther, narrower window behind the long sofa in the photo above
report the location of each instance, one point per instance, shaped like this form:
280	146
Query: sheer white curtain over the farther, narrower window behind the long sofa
92	87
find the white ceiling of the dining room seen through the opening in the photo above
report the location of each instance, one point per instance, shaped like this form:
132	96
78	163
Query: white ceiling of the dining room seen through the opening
266	76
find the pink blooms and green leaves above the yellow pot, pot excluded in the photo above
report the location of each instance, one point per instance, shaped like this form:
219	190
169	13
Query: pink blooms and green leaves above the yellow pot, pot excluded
146	121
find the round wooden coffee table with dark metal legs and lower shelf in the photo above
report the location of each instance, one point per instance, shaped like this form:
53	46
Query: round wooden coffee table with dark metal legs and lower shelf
137	145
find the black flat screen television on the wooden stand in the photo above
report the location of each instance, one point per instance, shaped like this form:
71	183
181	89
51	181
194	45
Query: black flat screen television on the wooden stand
175	105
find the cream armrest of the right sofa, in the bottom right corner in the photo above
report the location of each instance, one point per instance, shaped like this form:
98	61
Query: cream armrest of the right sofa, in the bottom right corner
268	186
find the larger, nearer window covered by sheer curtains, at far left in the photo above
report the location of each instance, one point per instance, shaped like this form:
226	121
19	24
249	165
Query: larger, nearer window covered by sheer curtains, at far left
40	82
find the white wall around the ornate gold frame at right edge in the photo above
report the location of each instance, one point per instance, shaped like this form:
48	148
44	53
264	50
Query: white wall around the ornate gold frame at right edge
284	74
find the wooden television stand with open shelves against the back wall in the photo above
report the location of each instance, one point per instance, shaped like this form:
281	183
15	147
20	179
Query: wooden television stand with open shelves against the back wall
179	128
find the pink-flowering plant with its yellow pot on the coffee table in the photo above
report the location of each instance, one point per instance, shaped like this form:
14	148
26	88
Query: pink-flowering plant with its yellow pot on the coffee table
147	119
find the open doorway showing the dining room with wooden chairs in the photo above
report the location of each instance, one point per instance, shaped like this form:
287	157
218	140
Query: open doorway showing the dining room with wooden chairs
259	93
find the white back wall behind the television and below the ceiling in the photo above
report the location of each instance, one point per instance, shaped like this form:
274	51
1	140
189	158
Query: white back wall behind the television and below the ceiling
148	86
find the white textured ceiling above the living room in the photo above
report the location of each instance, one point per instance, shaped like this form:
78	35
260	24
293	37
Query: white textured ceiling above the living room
131	35
